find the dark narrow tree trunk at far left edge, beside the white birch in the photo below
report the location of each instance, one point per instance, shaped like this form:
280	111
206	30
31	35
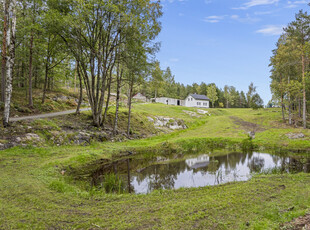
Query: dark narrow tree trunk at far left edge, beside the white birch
4	47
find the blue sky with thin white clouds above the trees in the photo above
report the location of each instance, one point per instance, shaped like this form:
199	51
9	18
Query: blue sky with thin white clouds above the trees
226	42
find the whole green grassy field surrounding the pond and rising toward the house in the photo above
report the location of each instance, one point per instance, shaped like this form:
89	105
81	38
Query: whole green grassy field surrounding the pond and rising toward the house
38	192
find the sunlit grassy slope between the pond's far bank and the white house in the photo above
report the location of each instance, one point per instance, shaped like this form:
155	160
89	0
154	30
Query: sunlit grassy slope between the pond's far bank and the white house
271	131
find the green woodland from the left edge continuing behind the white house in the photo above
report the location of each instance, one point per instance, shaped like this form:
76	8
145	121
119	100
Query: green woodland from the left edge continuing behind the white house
98	47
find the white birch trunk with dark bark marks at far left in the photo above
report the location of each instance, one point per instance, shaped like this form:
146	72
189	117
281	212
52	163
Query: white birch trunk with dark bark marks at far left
10	39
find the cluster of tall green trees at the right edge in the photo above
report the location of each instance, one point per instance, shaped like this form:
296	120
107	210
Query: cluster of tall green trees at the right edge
290	70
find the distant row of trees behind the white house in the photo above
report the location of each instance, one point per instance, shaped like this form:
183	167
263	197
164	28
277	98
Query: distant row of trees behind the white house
161	83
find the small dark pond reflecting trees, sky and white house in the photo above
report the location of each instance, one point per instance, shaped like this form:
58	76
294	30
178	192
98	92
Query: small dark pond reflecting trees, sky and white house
202	170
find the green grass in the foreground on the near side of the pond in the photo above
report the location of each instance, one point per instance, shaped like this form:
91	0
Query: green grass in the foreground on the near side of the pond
35	195
